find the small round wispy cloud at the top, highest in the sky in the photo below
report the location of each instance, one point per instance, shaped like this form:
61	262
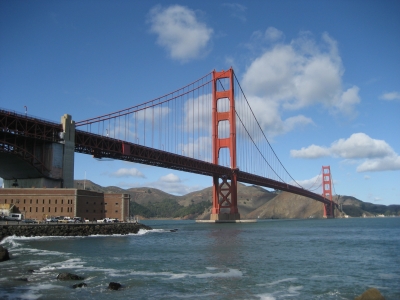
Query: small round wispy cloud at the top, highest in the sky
180	32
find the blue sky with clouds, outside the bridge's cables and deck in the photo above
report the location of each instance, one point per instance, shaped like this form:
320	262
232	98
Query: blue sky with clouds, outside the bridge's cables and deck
323	76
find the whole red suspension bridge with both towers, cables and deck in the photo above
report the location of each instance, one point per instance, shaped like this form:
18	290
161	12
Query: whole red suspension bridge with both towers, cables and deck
206	127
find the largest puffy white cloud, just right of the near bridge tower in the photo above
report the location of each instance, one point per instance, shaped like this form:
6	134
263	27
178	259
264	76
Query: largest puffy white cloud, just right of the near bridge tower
296	75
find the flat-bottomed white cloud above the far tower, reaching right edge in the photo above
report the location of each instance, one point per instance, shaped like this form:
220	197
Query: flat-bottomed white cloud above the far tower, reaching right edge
374	155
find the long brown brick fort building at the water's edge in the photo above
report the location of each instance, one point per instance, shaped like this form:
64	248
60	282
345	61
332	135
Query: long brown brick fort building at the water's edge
41	203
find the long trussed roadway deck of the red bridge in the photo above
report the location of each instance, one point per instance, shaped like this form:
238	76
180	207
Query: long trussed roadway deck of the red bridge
14	126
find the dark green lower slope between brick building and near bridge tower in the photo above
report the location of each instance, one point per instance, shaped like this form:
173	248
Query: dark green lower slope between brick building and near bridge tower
168	208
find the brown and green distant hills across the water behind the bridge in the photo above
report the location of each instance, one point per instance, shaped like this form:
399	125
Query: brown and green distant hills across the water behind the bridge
253	202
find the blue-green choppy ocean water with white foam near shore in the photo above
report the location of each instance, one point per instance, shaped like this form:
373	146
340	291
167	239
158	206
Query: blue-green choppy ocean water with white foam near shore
270	259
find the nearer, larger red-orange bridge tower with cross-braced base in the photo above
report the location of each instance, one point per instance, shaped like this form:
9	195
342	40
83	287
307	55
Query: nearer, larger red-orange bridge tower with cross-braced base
224	187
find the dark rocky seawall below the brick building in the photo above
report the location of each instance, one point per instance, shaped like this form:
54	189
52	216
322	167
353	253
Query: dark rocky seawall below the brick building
70	229
